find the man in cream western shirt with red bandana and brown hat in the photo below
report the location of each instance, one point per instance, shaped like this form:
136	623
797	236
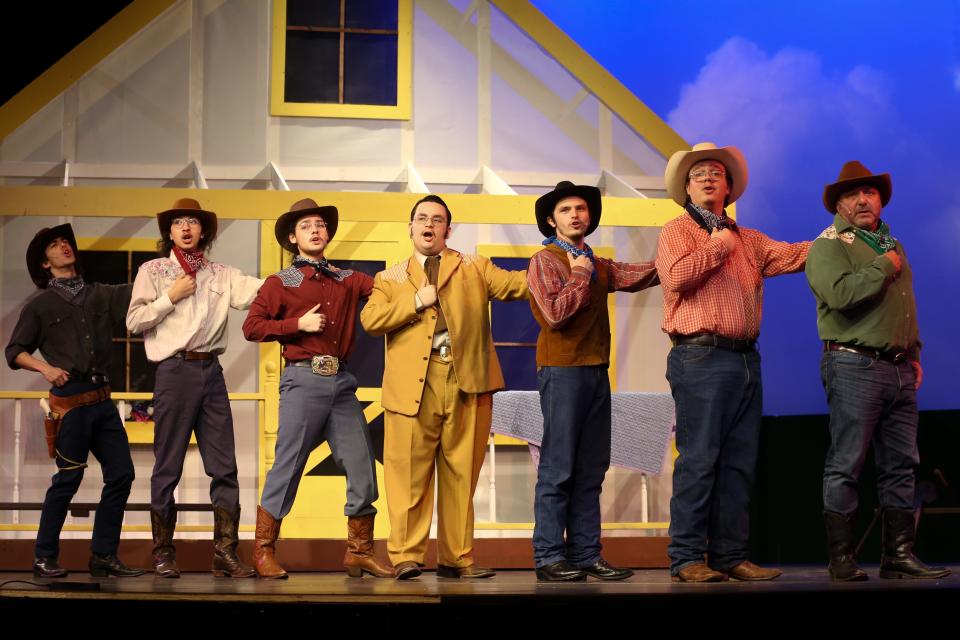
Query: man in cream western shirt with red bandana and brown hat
180	304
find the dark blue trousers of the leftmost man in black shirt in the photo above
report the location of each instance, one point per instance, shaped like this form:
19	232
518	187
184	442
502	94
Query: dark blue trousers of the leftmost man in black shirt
95	429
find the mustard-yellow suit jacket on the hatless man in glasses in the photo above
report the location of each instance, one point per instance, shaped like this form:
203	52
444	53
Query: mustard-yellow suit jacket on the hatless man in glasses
465	286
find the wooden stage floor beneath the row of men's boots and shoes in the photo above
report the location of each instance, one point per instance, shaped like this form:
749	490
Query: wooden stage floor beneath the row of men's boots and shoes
507	586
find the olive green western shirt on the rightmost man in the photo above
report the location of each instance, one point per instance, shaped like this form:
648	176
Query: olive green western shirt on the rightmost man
859	301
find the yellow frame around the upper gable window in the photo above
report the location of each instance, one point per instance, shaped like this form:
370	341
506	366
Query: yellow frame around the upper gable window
280	107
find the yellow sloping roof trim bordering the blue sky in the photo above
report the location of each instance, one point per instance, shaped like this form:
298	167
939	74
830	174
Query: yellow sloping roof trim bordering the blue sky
593	76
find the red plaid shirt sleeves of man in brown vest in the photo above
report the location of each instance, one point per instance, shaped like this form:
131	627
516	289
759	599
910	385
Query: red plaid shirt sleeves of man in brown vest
560	291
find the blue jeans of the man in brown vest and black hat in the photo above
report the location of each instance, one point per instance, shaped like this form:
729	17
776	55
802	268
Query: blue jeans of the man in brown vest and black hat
574	458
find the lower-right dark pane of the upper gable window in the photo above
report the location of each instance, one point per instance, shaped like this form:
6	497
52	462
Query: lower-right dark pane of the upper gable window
370	69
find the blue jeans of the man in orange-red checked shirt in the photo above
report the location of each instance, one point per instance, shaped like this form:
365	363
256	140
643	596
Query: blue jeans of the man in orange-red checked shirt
718	396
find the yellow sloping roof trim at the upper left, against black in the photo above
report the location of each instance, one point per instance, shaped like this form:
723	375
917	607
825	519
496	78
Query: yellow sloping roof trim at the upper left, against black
84	57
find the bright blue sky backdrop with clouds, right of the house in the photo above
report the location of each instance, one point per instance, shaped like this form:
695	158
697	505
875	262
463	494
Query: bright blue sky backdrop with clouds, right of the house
801	88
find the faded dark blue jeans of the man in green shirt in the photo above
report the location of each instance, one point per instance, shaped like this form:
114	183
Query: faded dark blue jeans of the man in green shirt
870	401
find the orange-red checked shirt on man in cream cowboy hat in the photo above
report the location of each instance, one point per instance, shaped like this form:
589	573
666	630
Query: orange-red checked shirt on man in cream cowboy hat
707	289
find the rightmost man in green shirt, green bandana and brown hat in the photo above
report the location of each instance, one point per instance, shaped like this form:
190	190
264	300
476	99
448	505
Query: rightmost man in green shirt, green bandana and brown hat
867	318
